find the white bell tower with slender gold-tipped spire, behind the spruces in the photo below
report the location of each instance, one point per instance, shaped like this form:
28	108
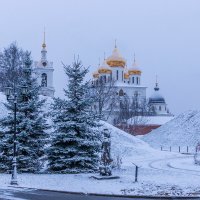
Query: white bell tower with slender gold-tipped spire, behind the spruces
44	72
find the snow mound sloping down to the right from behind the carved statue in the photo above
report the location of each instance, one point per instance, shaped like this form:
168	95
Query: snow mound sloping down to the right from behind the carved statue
128	147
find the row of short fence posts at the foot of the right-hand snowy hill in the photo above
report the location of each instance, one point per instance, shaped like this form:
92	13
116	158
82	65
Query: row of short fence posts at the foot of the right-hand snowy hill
180	149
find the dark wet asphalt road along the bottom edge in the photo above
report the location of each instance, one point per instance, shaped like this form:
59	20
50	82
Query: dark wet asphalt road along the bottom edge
26	194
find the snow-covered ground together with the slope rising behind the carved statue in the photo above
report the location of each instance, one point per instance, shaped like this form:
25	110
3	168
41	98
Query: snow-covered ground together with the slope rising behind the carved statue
159	172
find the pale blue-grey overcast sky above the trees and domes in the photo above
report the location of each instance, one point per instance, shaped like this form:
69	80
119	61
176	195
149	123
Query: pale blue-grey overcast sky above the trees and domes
164	34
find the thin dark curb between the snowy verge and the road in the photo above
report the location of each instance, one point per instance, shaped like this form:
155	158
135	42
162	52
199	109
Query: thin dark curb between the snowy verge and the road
111	195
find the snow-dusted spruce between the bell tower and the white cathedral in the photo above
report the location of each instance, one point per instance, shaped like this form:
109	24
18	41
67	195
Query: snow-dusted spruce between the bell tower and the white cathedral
75	147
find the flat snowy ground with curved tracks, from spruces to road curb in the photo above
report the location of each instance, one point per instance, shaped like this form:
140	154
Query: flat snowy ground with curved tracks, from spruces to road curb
159	177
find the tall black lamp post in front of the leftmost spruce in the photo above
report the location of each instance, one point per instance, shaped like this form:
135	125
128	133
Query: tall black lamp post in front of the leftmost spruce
12	96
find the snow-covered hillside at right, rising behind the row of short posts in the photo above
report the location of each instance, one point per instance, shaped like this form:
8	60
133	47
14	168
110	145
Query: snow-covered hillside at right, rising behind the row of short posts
183	130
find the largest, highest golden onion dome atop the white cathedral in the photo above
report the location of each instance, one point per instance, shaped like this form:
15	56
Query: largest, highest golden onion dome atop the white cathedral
116	60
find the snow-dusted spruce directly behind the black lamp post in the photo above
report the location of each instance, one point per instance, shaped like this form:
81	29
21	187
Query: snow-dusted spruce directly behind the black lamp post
31	126
